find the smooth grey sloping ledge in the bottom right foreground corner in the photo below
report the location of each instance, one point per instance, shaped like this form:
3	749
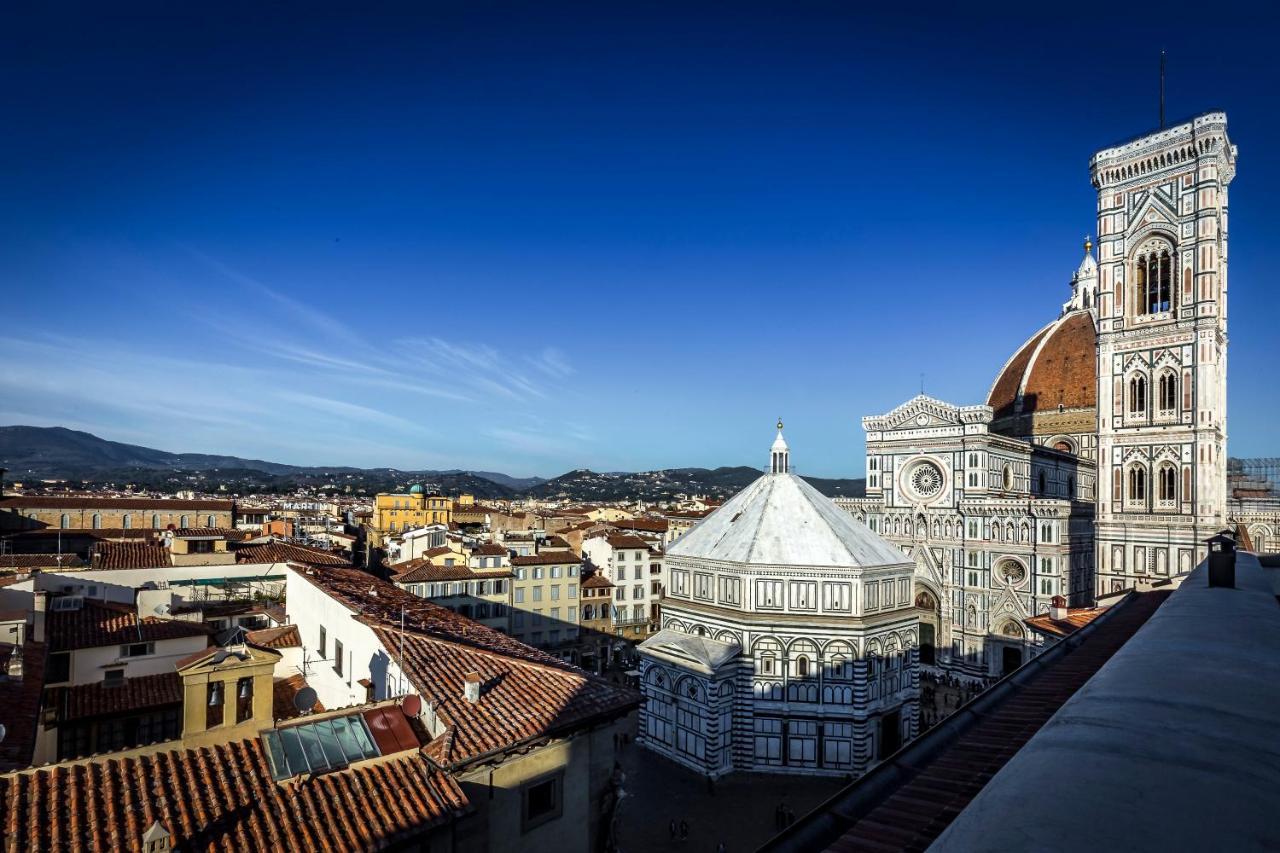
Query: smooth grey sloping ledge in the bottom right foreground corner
1173	745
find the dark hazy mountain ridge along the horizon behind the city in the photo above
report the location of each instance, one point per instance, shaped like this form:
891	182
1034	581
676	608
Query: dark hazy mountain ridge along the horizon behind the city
57	453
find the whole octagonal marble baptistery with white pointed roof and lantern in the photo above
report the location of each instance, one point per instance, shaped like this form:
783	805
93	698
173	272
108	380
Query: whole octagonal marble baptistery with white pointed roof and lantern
789	638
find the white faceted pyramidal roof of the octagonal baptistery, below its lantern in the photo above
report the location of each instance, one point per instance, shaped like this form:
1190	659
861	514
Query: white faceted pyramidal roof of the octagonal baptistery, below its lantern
781	521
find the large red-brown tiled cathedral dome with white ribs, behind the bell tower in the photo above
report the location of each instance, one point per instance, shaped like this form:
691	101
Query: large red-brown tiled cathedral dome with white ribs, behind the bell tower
1053	373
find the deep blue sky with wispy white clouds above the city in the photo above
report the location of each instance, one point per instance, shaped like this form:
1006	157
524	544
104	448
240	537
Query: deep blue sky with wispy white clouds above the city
533	238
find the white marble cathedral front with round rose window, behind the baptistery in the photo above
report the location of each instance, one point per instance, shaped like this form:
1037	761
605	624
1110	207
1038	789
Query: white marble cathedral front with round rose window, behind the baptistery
998	528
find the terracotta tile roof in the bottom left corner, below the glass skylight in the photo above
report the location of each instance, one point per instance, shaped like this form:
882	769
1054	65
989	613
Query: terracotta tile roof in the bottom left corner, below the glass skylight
223	799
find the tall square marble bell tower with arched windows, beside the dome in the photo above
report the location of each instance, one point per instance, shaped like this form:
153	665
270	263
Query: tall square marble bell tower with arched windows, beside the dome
1162	307
